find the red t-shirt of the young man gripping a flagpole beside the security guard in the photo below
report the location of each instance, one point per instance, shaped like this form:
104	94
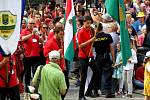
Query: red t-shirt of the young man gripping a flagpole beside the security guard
84	35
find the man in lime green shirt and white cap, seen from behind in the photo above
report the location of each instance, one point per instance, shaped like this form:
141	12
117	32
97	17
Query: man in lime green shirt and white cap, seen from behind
52	84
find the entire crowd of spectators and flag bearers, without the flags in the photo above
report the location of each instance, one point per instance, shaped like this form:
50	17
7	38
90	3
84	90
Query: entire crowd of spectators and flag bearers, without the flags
98	47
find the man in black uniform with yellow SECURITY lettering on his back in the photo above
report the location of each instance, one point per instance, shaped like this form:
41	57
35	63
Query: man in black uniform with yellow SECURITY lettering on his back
104	58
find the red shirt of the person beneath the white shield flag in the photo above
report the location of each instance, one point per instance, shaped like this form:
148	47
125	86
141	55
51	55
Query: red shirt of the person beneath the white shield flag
13	77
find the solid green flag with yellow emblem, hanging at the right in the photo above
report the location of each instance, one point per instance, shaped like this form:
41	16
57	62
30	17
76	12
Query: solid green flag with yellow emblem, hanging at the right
116	9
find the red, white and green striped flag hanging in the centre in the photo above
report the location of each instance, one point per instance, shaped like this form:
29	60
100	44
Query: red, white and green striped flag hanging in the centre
70	31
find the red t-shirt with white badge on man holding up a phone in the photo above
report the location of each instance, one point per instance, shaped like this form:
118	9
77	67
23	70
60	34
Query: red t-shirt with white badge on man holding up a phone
31	46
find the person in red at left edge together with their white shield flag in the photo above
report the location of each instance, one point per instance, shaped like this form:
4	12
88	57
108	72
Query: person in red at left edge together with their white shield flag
10	21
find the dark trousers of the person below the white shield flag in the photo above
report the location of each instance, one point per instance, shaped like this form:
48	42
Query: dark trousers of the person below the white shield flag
12	92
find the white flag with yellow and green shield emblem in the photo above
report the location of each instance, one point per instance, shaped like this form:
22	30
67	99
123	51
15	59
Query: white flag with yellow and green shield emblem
10	21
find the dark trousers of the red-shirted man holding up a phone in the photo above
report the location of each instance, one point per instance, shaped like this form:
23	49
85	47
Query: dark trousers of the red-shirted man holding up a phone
30	62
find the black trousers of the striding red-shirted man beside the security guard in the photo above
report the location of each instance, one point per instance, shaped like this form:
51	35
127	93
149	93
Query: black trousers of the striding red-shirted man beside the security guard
84	63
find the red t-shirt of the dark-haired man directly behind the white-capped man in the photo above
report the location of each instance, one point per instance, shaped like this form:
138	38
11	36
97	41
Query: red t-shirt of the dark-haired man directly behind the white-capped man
51	45
